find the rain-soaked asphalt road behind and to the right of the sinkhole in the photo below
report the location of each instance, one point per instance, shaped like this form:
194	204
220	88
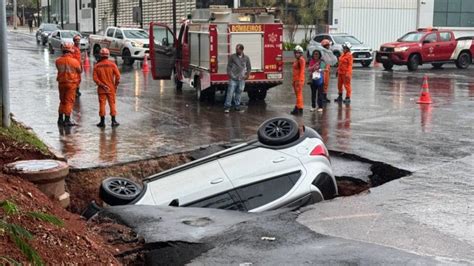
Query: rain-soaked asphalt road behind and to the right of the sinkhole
429	213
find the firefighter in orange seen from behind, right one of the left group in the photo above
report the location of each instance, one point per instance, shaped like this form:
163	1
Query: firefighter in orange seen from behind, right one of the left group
107	78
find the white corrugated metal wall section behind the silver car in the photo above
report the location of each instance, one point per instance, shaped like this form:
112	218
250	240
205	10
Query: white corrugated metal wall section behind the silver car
377	21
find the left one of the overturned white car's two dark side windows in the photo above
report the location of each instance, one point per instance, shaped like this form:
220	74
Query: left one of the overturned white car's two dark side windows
226	201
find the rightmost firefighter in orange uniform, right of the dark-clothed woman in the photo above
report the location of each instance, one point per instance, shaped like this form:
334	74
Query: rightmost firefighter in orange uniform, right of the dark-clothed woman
344	72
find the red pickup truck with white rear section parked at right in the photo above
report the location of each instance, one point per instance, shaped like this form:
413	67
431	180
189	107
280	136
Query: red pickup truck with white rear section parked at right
427	46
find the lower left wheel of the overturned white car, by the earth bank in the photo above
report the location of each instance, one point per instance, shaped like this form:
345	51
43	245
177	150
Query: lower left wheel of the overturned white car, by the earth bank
119	191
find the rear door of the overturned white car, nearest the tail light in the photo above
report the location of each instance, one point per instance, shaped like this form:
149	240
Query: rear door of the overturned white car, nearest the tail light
262	176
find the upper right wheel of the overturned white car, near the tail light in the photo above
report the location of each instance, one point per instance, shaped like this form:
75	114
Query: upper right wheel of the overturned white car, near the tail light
278	131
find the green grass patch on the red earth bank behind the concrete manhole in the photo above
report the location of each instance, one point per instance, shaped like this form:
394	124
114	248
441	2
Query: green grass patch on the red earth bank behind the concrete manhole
22	136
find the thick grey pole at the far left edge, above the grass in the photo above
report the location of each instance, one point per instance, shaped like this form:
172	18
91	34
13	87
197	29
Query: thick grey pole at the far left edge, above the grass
4	87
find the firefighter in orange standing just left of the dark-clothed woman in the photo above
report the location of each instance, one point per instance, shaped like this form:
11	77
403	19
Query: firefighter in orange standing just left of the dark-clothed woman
298	80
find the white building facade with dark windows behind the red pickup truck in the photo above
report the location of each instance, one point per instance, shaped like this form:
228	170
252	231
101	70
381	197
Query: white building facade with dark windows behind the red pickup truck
381	21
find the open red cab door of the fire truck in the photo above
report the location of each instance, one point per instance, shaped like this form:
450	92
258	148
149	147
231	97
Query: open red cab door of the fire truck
162	51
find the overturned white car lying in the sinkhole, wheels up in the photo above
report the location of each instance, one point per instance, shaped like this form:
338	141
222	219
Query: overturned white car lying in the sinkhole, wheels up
287	166
